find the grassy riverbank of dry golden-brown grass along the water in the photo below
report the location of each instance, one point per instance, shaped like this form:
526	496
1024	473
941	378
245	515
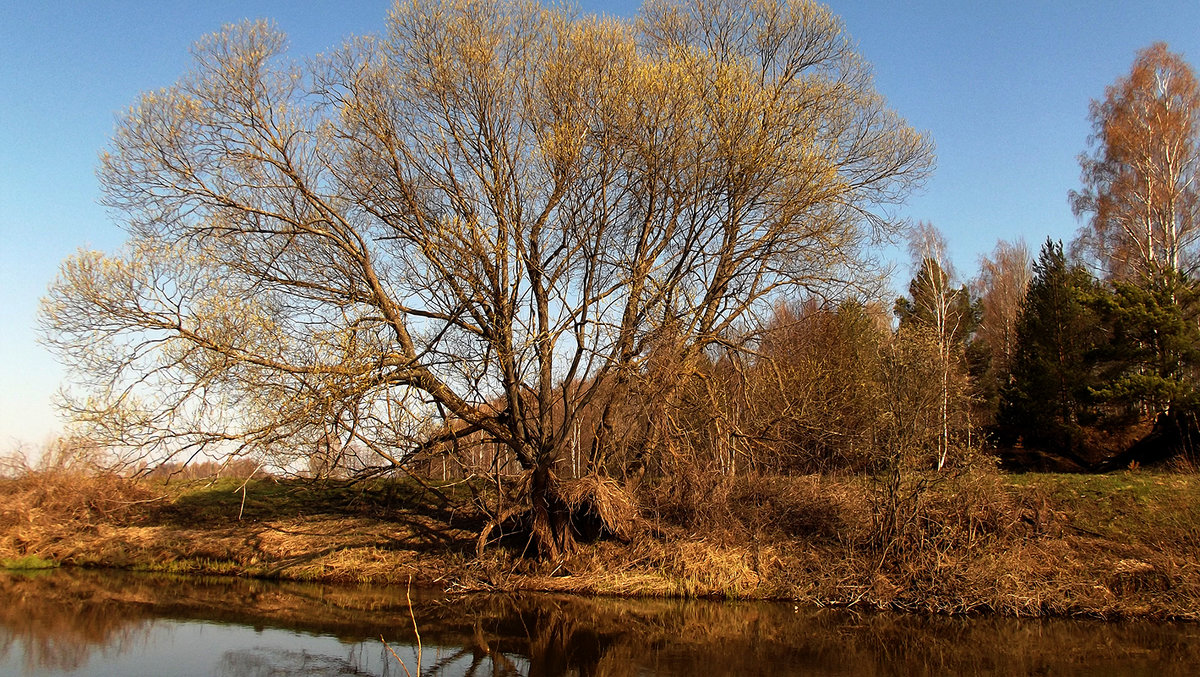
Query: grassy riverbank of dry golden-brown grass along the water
1120	546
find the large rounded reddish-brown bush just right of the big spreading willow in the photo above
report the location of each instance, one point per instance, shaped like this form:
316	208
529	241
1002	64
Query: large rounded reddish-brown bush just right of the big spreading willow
800	399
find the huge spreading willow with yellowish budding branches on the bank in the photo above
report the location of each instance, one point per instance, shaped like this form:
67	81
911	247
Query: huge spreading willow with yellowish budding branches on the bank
481	223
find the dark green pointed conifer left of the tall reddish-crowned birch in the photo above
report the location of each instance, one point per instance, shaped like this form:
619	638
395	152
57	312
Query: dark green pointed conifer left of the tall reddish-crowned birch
1047	399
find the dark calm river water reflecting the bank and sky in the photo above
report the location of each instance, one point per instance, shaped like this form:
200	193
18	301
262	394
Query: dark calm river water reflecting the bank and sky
104	624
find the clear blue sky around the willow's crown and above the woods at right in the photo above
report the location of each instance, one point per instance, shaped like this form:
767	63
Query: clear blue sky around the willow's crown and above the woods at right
1003	87
